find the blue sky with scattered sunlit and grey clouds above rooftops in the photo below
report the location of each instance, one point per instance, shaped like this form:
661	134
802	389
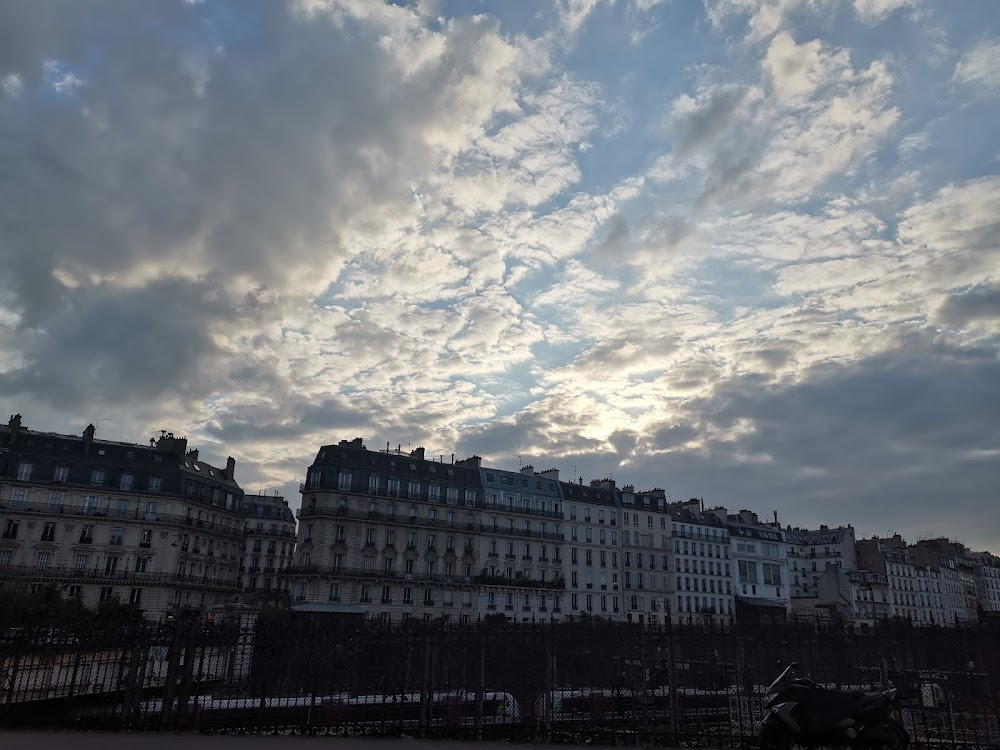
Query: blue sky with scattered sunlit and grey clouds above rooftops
743	250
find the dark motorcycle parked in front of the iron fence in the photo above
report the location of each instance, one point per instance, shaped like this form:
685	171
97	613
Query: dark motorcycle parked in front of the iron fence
801	712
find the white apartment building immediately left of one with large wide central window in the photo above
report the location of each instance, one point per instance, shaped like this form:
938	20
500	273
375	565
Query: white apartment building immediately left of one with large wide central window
702	566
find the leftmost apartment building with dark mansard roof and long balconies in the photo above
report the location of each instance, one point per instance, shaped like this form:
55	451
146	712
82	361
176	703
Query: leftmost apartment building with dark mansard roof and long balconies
152	525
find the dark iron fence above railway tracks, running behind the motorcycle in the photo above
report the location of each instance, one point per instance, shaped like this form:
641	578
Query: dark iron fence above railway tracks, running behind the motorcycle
606	683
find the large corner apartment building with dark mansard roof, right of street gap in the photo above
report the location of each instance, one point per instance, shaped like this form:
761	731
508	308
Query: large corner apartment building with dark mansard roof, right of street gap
394	533
